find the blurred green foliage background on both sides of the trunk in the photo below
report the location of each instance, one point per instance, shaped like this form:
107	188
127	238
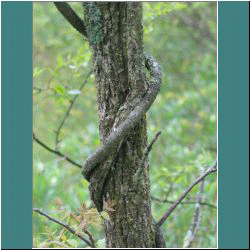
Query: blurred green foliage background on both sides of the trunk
182	36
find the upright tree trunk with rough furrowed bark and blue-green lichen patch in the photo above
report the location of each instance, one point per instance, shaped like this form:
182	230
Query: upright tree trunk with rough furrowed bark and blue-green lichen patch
120	184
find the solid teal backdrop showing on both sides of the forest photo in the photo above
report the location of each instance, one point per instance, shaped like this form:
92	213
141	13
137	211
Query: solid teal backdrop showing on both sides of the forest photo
233	152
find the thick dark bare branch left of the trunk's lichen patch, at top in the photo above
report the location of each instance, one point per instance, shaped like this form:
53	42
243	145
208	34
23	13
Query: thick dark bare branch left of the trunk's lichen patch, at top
71	17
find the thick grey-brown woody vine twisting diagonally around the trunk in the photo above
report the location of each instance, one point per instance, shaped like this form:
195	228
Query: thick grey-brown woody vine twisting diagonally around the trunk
125	121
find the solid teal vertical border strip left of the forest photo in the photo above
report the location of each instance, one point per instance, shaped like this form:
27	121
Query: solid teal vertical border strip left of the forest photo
16	144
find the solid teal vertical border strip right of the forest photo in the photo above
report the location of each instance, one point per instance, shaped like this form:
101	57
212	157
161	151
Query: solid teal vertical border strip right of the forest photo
233	125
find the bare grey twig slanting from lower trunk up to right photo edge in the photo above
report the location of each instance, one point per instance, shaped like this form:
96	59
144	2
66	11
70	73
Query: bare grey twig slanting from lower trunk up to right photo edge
183	195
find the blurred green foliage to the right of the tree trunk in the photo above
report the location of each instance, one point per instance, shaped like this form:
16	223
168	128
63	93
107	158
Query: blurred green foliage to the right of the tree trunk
183	39
